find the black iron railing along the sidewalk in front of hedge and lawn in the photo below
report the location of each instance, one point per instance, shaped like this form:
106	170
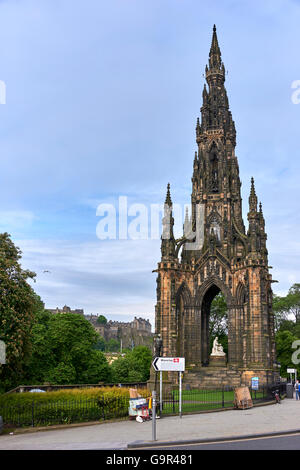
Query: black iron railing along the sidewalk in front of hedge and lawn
50	412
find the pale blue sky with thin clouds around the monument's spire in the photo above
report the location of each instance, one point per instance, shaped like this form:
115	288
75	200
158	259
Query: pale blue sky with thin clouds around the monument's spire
102	101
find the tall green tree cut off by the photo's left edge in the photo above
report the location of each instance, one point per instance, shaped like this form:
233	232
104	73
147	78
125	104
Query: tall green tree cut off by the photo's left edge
18	306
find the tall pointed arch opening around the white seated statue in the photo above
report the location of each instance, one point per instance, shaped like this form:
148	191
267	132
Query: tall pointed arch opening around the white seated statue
214	321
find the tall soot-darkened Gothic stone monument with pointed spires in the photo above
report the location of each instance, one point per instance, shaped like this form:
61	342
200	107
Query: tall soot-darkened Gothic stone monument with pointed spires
230	260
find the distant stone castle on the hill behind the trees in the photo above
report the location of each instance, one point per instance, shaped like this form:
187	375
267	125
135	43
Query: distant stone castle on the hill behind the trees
134	333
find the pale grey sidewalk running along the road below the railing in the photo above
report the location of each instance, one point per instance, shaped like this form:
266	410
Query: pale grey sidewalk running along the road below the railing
258	420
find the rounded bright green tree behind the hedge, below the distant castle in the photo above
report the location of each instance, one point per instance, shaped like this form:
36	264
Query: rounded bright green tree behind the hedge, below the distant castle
64	350
